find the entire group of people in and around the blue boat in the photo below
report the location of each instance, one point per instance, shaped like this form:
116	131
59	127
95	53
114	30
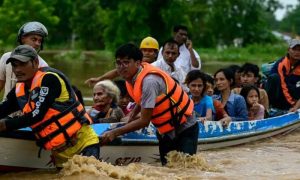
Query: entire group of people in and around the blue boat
164	86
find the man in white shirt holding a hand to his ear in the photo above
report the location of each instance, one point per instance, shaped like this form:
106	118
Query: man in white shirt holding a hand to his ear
188	58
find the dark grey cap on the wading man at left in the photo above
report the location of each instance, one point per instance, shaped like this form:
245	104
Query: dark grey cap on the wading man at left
23	53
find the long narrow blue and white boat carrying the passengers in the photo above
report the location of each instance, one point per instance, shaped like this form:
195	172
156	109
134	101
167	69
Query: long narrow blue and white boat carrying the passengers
18	149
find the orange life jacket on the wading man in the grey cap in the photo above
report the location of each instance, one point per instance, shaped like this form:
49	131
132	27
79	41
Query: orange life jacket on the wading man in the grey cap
62	120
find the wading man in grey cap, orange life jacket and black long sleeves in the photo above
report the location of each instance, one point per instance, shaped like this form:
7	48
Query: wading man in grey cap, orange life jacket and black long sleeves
50	107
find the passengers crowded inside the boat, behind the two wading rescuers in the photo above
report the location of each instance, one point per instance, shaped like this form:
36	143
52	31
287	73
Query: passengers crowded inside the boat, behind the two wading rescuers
233	93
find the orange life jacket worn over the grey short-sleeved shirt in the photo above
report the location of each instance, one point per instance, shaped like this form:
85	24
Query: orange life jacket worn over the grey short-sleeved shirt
171	108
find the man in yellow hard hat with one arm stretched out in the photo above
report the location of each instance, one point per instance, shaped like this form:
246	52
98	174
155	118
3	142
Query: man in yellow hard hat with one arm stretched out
149	47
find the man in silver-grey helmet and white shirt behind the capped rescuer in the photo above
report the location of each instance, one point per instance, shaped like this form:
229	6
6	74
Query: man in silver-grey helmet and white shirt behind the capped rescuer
31	33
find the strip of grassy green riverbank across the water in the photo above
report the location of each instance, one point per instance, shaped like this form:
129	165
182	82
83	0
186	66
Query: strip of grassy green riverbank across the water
256	53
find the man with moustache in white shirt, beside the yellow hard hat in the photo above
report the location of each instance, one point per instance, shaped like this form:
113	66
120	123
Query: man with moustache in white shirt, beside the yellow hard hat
170	51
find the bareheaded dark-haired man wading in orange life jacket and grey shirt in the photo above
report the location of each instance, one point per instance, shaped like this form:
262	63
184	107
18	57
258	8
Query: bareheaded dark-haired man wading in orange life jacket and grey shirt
160	100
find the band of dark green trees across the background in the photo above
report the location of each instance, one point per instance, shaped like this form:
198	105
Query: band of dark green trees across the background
105	24
